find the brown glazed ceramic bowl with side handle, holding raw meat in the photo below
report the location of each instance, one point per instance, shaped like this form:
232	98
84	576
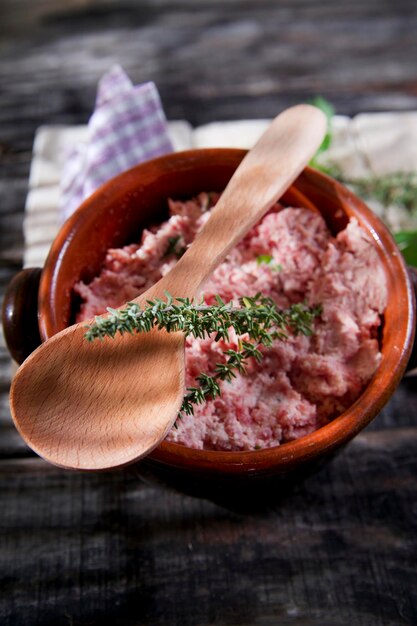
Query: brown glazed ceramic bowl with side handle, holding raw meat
115	215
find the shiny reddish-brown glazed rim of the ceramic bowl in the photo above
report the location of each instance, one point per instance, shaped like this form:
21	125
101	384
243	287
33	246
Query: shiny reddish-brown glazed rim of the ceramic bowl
398	327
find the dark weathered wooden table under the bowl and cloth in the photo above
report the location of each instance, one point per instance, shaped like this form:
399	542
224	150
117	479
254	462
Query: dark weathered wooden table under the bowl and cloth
107	548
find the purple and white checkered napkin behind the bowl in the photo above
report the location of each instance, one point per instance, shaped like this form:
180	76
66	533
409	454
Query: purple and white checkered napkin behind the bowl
128	126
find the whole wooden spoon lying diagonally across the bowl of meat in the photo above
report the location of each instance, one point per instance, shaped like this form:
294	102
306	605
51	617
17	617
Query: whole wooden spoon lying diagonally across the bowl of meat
104	404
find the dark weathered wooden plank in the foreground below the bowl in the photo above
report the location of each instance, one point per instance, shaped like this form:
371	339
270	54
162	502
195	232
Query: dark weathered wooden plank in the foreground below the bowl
108	549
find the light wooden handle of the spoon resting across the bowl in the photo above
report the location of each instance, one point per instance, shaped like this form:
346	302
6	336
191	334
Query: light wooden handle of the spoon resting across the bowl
263	176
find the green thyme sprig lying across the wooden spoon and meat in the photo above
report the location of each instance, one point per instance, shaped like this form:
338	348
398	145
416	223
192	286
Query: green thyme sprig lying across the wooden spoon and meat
257	321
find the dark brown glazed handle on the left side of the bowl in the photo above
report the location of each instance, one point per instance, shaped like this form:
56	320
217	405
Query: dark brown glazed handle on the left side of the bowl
20	314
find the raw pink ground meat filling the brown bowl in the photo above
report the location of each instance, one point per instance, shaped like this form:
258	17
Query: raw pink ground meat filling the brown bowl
302	382
